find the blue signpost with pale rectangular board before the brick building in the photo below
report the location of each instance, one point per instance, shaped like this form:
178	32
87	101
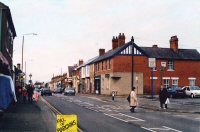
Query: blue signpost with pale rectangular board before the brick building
152	64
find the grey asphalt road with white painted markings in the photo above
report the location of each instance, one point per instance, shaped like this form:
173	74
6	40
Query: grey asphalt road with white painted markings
97	115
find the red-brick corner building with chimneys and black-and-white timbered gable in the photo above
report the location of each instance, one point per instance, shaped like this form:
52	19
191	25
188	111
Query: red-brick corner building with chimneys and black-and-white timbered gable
113	69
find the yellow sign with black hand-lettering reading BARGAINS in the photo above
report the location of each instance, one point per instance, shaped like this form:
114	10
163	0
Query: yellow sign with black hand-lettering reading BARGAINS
66	123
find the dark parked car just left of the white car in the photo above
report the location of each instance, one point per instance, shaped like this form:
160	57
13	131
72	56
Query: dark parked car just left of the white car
175	92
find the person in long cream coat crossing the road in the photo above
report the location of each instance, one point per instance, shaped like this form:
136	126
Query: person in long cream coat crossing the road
133	100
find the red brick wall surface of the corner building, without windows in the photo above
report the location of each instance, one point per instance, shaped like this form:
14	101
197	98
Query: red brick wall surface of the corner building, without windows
183	69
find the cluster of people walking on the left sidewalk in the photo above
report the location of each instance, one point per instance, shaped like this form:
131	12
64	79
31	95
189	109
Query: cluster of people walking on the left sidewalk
25	93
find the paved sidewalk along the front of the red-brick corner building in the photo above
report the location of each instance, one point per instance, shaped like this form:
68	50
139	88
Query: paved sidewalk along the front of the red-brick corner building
185	105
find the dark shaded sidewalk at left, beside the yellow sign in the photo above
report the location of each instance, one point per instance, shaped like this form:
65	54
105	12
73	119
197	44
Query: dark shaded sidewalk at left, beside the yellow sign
21	117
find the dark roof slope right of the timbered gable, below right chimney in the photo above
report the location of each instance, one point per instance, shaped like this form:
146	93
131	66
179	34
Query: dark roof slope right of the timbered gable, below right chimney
167	53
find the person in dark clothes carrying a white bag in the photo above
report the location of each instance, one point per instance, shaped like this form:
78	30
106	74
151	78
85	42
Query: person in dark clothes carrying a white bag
163	97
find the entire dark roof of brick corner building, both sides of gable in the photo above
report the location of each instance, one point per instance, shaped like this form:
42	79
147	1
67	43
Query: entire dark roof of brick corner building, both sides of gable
159	53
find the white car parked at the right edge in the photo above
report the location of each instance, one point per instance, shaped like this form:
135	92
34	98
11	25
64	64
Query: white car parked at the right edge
192	91
